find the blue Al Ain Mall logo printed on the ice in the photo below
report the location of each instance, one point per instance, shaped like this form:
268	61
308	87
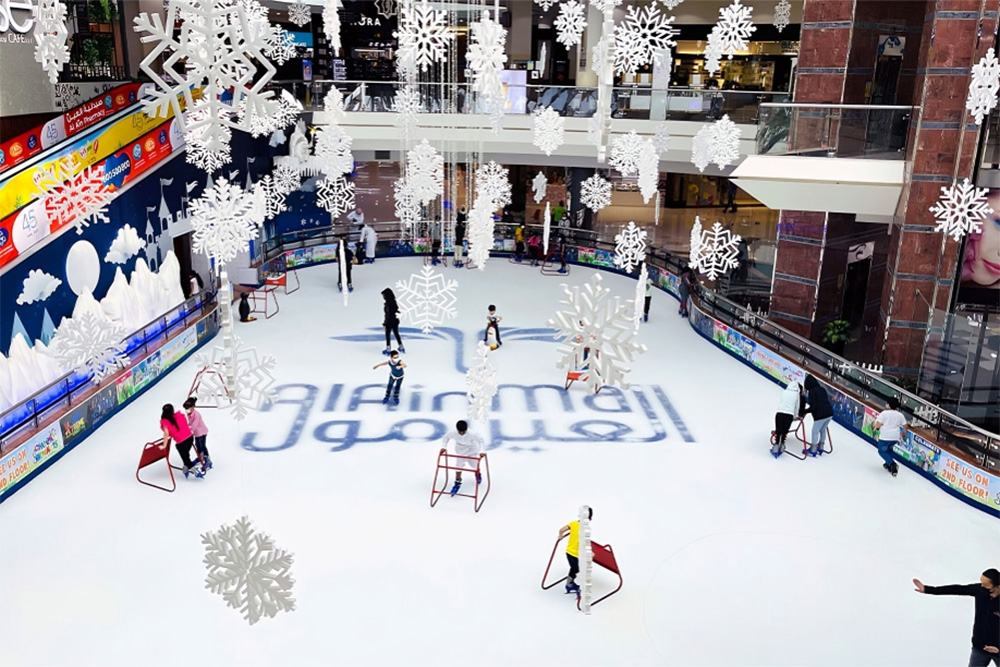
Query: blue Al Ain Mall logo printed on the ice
613	415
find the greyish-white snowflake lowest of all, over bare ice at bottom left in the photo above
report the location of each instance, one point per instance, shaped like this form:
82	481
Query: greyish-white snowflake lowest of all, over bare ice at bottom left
249	572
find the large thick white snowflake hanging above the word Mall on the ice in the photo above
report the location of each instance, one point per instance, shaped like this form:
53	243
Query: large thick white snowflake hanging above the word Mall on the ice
594	320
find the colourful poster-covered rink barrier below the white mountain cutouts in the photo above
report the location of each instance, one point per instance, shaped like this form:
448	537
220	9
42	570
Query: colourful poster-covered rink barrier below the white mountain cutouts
72	426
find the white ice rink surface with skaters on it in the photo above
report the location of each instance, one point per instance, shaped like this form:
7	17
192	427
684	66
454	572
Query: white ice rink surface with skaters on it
729	557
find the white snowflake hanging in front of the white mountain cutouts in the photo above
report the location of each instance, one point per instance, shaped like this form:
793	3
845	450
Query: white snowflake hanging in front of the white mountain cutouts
91	342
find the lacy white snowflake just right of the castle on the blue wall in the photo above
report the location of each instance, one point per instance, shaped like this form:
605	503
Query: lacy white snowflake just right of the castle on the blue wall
225	219
